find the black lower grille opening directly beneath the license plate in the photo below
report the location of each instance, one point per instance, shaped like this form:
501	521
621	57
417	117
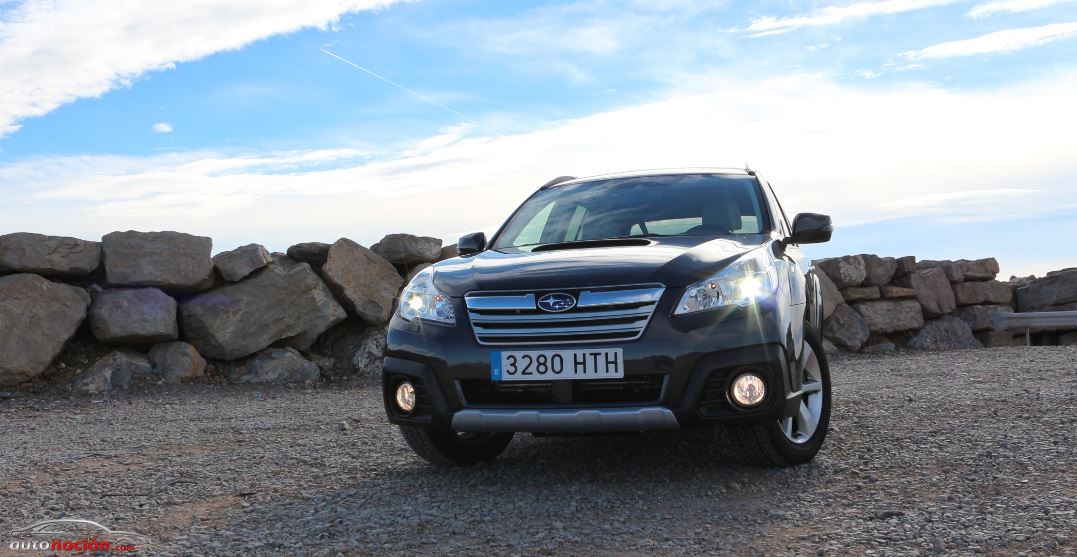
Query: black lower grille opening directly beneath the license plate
636	389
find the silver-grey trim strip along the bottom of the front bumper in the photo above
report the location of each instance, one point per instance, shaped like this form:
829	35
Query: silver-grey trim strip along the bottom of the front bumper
569	421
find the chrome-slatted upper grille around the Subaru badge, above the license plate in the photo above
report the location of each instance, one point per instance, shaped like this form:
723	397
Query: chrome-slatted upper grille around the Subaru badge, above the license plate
600	315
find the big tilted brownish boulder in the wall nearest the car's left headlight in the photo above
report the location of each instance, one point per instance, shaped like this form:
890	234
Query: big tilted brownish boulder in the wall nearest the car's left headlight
365	282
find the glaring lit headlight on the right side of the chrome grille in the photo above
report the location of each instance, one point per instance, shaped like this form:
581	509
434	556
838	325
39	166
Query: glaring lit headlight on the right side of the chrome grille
743	284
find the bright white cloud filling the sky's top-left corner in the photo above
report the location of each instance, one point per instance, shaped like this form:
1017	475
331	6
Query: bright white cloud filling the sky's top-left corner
58	51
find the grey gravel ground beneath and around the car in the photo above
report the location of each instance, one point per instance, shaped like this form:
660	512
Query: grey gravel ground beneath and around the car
955	453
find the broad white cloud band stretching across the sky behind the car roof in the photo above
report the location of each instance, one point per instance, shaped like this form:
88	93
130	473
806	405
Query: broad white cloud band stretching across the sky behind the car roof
861	155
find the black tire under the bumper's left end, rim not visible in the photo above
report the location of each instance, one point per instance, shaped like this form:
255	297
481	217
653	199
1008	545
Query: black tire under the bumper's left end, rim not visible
450	449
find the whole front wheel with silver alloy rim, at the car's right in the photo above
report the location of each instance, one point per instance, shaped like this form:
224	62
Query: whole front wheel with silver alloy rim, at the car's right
793	440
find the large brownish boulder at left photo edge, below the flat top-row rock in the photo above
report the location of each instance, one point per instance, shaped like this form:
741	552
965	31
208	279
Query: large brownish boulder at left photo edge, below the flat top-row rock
37	319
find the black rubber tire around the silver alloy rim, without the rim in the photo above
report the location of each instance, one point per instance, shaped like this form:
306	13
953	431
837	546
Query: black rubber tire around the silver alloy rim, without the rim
767	445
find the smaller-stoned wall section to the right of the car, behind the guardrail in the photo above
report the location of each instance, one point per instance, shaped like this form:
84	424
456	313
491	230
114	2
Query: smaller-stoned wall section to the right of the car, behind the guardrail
880	304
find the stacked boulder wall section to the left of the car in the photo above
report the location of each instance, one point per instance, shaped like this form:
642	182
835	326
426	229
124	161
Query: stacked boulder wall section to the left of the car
158	307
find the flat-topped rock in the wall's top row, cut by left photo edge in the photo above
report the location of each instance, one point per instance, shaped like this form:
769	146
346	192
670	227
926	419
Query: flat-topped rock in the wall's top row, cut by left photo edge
50	256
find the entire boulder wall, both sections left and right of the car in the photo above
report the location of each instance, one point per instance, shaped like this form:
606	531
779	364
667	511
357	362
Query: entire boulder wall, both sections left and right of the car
158	307
